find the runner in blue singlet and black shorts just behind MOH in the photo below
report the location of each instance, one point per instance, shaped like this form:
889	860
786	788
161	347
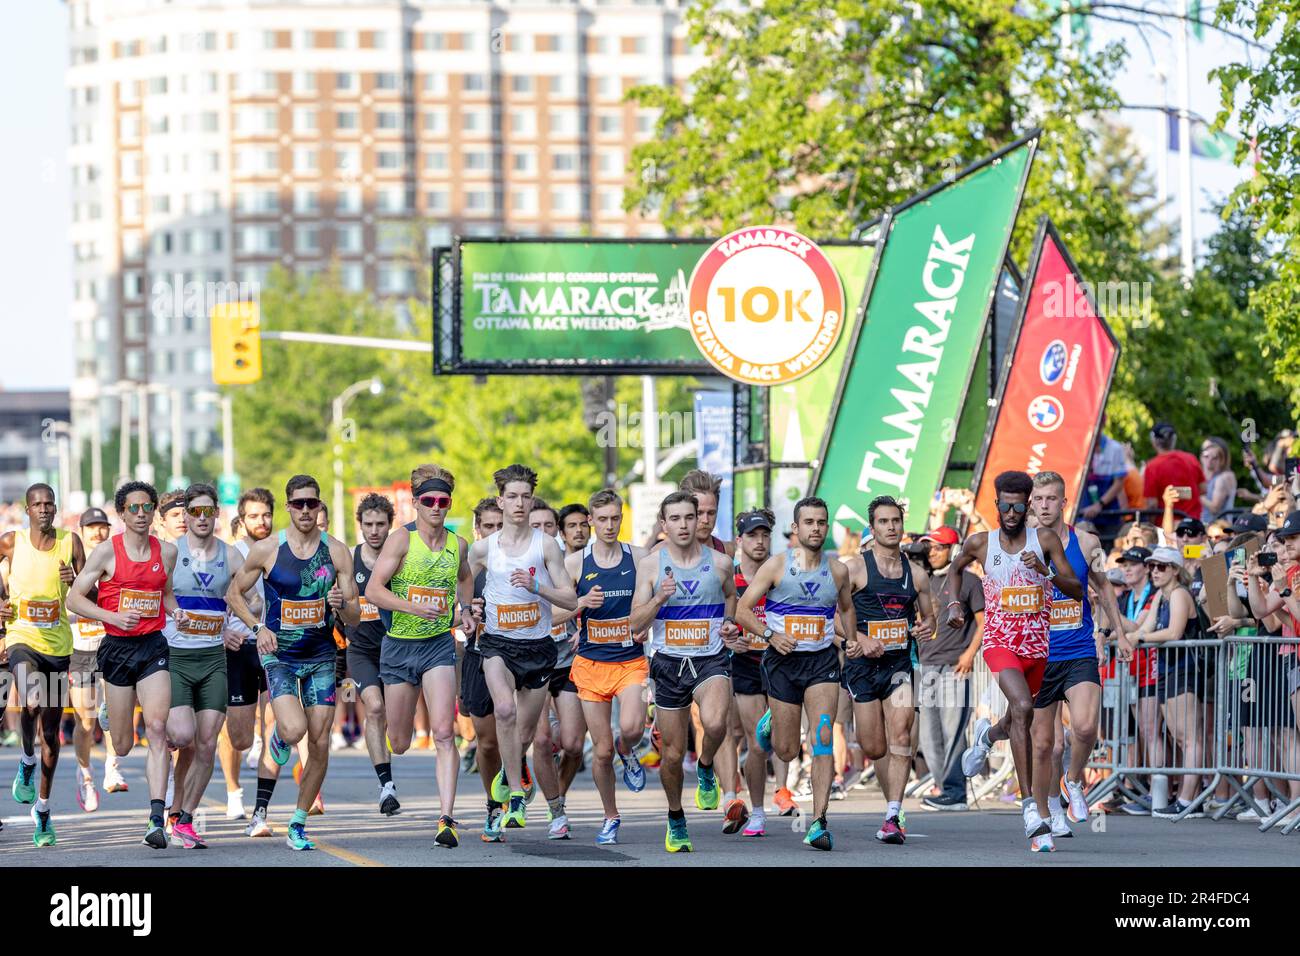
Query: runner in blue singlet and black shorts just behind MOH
1072	674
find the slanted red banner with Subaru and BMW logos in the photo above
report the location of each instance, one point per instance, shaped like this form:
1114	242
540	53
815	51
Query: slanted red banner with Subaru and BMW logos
1056	383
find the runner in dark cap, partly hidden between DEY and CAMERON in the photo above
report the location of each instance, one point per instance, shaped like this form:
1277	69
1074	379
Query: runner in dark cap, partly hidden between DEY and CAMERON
85	685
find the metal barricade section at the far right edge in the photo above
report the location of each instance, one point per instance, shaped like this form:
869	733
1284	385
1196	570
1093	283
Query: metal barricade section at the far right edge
1260	704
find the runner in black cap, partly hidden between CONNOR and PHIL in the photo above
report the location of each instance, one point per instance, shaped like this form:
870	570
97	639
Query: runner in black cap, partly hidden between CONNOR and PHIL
755	546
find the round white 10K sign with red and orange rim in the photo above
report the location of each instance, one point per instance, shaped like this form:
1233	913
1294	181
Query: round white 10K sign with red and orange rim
766	306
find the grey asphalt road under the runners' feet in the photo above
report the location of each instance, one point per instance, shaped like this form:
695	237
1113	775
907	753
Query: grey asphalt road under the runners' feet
353	833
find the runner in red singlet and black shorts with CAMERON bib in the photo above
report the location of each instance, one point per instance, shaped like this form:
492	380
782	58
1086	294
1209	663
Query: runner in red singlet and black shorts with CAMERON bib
133	573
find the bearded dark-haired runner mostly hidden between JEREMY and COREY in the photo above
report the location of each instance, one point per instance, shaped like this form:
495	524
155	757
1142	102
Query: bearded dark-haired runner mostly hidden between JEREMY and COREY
245	677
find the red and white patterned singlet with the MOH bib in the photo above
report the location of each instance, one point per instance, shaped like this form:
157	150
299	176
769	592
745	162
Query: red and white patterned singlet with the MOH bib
1017	602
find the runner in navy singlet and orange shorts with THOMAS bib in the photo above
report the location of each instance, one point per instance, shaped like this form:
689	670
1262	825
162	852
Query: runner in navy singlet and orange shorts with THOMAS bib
610	664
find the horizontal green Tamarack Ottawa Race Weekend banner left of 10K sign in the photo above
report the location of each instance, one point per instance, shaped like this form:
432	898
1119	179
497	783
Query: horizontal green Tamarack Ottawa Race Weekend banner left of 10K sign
614	306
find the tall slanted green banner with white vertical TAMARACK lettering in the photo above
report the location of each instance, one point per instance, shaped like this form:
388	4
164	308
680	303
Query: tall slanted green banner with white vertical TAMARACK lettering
911	364
